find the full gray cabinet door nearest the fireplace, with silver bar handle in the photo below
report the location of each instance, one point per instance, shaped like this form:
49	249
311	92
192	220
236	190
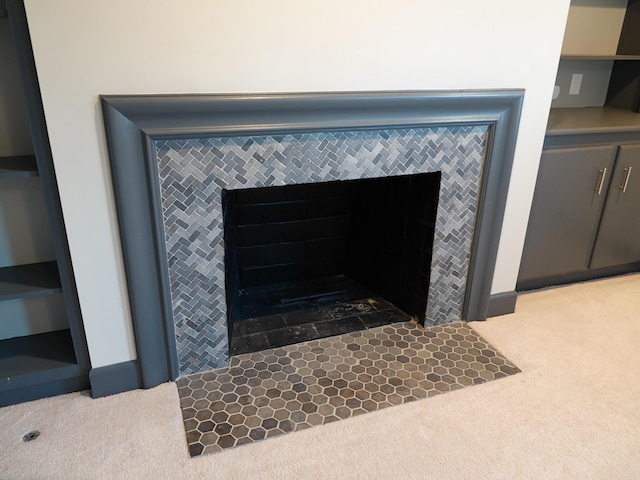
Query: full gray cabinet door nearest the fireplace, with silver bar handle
569	198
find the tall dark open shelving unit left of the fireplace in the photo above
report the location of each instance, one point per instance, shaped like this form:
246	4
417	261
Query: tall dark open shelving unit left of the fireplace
43	348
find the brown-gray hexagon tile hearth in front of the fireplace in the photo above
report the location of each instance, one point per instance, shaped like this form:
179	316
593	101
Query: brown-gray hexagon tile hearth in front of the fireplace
291	388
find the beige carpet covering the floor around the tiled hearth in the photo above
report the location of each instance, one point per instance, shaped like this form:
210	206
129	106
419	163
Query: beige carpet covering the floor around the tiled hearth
573	413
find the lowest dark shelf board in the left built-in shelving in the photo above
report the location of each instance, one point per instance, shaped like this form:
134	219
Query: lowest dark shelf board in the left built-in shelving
36	359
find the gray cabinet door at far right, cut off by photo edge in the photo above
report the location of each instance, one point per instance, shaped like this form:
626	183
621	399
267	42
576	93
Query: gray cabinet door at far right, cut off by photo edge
618	240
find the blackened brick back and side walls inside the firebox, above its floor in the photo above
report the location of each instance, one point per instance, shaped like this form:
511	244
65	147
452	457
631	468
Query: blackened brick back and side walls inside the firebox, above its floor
378	231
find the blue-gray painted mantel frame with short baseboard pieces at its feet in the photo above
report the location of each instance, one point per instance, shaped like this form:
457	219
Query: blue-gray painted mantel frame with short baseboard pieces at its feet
138	127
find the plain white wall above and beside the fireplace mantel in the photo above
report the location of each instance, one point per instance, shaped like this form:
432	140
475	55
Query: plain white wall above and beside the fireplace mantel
84	48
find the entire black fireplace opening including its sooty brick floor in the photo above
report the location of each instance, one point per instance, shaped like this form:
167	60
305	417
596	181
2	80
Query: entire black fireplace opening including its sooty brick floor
314	260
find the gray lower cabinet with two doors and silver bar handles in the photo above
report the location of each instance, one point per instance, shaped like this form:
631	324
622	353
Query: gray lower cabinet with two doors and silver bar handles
585	215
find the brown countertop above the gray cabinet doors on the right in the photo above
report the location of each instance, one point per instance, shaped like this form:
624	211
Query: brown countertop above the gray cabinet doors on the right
563	121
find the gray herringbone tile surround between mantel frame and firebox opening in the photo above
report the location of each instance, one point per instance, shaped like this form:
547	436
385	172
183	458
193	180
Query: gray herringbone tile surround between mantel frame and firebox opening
192	174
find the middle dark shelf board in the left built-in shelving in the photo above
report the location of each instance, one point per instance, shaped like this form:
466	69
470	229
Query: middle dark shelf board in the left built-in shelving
26	281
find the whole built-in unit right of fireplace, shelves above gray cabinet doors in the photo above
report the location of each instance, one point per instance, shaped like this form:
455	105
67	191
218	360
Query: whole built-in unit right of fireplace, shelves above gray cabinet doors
585	216
